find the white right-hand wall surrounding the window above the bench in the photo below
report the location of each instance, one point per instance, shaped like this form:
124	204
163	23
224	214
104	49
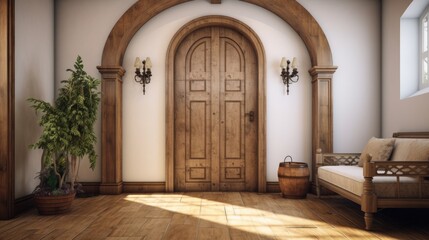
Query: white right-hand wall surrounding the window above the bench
409	114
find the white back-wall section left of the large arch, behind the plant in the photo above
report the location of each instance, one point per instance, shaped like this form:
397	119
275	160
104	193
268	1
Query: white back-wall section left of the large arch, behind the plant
81	28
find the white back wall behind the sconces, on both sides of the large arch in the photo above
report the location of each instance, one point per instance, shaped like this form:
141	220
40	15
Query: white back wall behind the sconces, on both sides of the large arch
355	43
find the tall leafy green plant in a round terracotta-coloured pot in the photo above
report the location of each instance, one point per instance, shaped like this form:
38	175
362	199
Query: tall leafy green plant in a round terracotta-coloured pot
67	137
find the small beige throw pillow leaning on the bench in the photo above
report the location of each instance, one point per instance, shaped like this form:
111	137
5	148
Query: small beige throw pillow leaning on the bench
379	148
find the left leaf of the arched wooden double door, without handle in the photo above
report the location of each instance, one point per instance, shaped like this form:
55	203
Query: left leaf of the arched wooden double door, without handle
192	113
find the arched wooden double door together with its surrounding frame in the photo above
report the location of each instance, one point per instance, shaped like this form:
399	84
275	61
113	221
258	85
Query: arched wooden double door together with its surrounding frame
229	150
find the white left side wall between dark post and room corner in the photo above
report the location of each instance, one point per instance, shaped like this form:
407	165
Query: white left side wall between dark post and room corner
34	77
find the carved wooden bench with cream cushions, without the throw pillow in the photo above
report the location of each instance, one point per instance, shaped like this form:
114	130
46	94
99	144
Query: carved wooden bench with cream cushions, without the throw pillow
400	182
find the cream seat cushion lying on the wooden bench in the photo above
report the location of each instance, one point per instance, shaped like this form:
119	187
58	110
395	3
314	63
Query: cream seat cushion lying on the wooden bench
350	178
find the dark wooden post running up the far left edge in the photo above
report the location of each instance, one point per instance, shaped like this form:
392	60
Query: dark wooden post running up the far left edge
7	110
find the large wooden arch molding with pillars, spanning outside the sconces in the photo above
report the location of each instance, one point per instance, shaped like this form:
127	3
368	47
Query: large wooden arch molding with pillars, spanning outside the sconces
141	12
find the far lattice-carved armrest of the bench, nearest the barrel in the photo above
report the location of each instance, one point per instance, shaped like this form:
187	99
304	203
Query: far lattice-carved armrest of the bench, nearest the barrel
332	159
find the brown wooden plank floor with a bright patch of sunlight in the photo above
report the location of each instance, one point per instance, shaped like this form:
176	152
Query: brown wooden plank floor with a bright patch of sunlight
216	216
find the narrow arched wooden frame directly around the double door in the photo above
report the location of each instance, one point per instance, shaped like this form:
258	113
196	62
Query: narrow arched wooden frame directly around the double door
246	31
